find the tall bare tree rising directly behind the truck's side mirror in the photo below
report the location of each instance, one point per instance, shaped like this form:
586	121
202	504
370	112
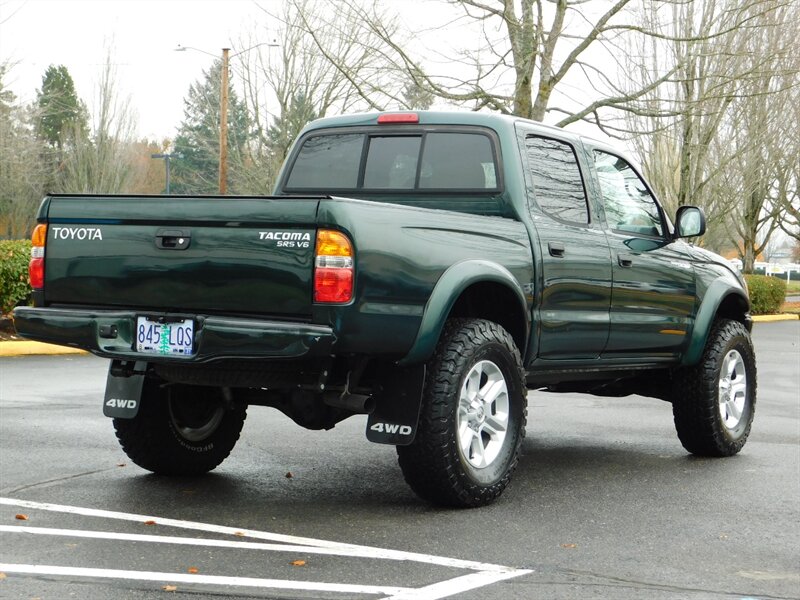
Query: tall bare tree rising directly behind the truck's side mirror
705	44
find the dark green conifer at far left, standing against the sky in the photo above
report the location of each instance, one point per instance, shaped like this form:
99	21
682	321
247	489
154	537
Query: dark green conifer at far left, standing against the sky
62	115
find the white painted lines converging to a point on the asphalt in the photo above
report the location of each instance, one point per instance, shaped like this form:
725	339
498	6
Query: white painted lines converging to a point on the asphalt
483	573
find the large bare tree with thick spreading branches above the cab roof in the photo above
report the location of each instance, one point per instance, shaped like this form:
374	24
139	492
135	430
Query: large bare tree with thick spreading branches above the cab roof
516	56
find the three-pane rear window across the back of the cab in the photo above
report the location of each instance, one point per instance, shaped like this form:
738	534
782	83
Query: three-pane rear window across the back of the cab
444	161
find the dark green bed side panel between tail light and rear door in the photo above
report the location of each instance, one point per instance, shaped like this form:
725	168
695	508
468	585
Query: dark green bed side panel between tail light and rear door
401	253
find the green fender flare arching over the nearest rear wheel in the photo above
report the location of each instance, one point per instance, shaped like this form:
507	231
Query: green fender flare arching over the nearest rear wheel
446	292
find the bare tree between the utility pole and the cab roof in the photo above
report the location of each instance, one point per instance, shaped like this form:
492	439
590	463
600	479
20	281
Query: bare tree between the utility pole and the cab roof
288	81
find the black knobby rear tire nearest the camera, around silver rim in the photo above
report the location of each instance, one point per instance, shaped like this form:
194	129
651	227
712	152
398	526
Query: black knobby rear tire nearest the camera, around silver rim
434	465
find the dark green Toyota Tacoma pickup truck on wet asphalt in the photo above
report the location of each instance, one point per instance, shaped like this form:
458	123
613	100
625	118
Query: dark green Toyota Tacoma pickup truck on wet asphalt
424	268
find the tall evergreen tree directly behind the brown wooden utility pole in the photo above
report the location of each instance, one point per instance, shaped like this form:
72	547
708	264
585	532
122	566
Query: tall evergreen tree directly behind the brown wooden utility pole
197	170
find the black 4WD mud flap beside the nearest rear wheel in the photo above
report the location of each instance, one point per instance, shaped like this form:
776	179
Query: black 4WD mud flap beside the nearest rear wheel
398	398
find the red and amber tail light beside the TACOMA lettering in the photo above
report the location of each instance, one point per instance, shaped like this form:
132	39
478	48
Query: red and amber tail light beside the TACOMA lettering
333	272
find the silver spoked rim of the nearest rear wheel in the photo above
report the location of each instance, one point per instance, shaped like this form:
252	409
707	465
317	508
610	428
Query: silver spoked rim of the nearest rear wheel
482	414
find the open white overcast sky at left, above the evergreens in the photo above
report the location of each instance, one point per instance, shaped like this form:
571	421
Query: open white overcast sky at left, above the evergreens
143	34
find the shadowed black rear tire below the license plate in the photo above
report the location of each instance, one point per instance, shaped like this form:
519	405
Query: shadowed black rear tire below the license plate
181	429
